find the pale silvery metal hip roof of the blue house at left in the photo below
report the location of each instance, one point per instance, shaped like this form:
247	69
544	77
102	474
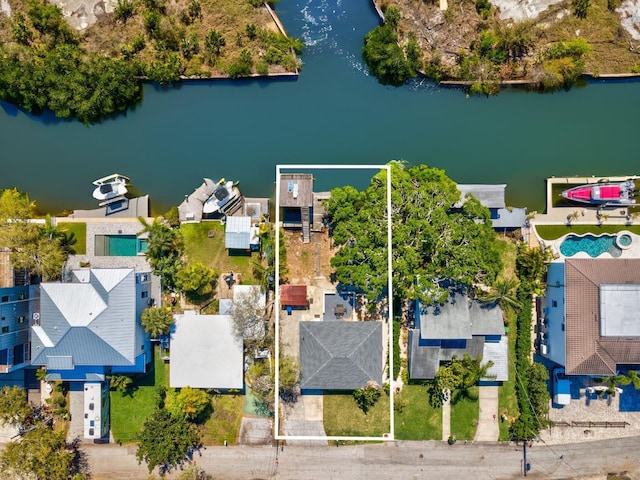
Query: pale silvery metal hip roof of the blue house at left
90	321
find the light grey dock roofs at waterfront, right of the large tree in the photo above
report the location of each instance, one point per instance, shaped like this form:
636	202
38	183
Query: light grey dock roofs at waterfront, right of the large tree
493	197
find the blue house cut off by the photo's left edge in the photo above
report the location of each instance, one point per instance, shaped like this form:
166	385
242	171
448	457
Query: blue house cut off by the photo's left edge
17	307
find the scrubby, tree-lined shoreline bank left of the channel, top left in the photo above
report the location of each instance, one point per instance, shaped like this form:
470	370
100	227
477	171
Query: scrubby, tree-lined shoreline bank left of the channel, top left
98	72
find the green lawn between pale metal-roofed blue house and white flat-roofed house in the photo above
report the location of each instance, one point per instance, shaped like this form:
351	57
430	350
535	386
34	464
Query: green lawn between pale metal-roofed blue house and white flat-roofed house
129	412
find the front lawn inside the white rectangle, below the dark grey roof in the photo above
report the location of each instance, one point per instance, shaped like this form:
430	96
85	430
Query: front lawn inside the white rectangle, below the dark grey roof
342	416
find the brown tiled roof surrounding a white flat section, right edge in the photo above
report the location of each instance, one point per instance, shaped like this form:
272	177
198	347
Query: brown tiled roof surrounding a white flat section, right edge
587	351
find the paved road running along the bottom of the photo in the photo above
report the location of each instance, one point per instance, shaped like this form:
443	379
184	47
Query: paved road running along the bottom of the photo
401	460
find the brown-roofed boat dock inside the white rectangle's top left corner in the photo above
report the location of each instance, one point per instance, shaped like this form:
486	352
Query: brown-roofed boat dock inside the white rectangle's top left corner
296	201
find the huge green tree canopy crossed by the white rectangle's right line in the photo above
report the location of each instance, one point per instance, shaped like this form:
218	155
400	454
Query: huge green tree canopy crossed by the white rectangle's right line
432	241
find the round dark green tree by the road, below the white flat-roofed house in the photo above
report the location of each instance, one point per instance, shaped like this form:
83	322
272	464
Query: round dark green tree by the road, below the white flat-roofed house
166	441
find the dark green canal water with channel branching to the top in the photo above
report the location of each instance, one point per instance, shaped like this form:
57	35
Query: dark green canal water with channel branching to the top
334	113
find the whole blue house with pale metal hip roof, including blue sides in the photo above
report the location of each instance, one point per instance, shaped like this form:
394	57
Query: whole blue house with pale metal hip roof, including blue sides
90	326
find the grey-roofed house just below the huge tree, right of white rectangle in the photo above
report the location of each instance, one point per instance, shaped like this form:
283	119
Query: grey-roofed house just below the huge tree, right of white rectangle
456	328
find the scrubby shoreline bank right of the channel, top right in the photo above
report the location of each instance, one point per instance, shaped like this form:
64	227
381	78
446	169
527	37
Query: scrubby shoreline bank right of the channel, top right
466	43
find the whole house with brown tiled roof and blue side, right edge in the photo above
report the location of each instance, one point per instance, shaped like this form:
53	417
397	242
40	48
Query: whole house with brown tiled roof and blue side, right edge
591	316
